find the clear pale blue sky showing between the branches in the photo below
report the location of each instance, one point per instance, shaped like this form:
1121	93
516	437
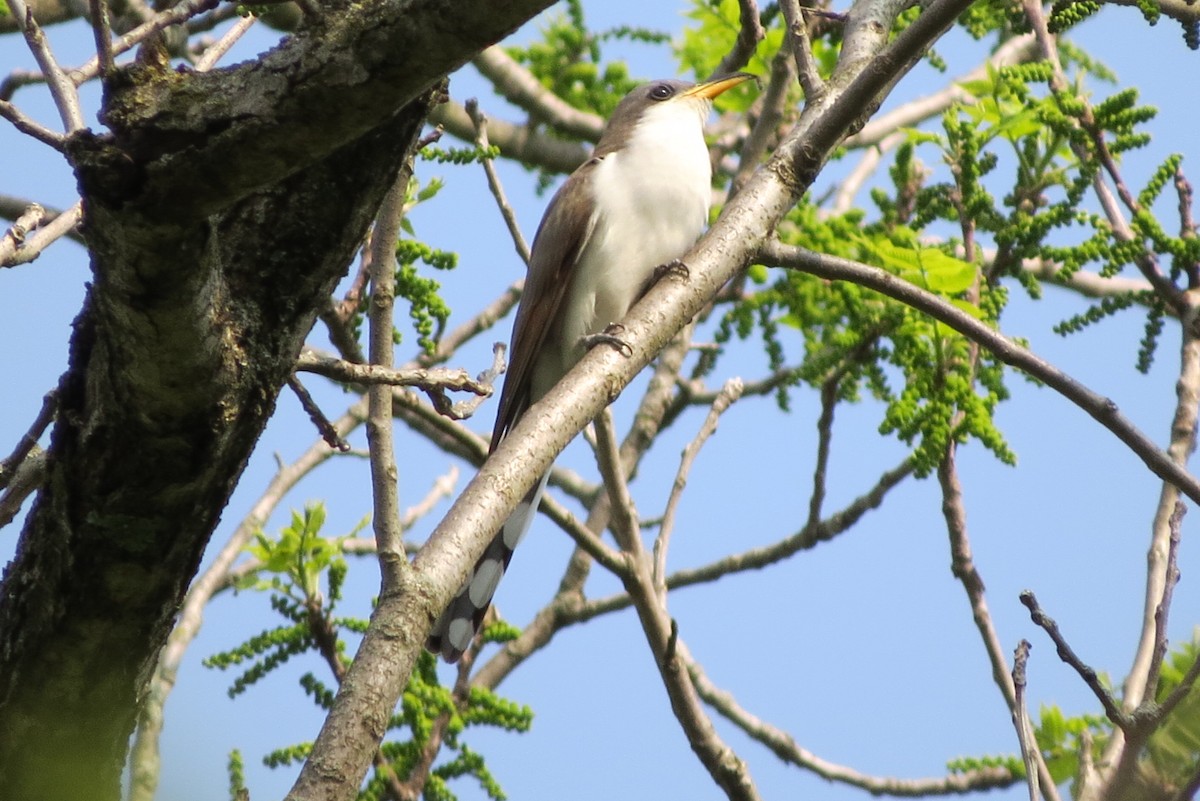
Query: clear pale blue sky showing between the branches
862	649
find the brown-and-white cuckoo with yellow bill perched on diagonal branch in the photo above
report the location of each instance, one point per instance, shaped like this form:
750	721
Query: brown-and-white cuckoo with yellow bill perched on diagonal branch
635	207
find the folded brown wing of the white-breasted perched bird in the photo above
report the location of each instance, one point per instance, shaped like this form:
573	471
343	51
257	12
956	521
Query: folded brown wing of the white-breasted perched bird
561	238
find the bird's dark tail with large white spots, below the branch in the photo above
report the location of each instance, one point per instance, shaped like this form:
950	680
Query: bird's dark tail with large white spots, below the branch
457	628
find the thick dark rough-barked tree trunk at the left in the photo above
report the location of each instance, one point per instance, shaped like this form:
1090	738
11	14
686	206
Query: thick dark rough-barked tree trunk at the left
220	214
